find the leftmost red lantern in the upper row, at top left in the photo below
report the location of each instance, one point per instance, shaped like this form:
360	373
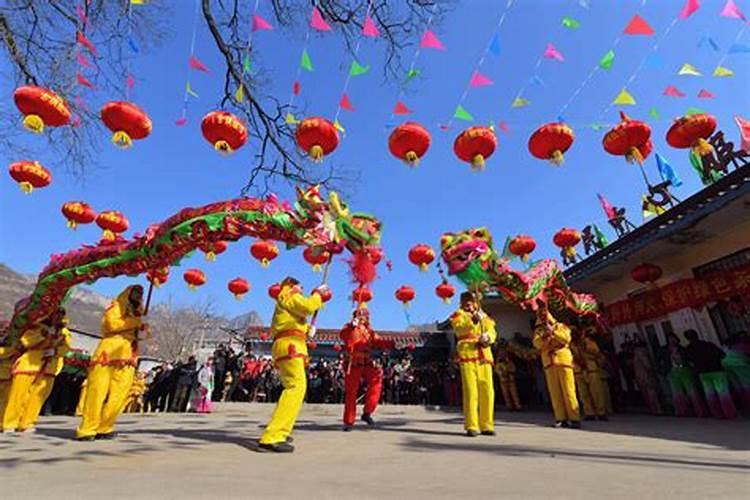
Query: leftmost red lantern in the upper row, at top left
41	107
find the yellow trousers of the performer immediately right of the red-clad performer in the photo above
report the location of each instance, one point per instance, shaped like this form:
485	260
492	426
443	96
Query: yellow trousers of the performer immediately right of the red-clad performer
478	396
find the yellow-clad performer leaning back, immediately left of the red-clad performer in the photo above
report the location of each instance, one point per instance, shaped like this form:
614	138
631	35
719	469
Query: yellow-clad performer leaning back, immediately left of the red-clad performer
290	330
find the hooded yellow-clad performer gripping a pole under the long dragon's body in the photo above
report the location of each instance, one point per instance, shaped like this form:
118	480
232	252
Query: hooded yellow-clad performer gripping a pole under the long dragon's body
113	365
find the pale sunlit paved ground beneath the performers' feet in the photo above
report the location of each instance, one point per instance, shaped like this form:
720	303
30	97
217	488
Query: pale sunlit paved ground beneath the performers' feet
415	453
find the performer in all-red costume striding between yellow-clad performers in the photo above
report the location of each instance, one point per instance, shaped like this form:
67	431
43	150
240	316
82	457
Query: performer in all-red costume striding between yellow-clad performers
360	341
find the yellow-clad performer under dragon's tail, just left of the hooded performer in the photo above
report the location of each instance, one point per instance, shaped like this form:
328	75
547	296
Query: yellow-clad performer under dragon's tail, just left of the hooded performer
34	372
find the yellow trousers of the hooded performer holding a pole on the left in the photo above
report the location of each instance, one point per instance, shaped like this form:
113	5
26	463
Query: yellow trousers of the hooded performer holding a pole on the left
107	389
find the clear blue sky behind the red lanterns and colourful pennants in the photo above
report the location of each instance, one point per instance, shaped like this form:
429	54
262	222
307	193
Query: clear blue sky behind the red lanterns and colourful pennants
175	167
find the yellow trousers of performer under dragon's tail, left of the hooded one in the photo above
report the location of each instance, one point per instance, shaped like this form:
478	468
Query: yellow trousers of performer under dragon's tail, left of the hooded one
25	400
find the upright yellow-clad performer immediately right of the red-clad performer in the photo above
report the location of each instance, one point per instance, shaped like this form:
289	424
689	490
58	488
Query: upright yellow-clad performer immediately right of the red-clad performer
475	333
